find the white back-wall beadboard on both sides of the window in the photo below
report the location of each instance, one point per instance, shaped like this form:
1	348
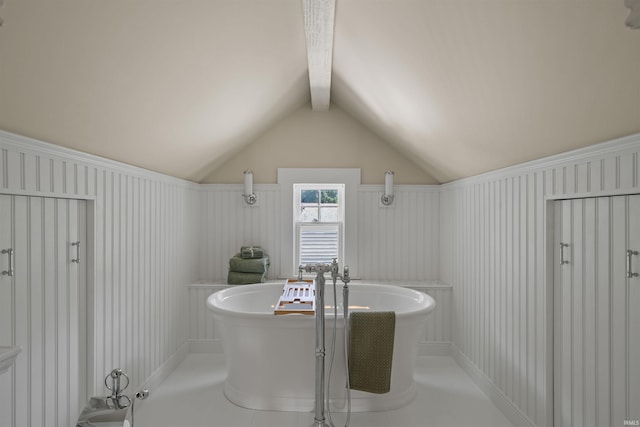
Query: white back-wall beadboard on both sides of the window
399	242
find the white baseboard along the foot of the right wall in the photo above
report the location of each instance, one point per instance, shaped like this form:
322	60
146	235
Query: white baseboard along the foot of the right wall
506	406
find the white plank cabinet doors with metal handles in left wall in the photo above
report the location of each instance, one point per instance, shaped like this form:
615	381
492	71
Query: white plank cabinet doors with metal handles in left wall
42	309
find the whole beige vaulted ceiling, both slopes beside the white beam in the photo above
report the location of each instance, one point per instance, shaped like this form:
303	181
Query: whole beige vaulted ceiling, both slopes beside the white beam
459	86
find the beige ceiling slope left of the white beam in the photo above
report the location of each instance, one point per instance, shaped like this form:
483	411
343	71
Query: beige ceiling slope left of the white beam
171	86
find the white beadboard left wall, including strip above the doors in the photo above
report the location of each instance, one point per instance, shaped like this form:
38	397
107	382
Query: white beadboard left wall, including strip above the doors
144	243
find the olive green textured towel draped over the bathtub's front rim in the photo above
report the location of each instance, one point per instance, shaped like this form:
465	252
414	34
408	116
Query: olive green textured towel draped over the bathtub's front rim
371	335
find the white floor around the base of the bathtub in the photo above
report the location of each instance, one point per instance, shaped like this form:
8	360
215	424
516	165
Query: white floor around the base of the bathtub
192	397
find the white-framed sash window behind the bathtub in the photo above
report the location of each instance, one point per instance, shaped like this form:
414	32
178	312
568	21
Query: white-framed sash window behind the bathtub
319	222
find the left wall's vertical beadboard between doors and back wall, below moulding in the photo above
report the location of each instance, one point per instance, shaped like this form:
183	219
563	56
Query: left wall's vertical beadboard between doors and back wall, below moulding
147	239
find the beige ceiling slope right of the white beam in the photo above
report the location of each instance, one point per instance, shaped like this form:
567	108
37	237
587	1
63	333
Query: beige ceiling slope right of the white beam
470	86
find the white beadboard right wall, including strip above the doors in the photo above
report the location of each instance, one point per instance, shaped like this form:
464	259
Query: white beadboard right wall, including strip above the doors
493	239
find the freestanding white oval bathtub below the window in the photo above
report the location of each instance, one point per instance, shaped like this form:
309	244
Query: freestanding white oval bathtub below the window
270	359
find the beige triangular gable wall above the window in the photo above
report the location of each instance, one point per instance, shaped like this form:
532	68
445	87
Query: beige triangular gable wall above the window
308	139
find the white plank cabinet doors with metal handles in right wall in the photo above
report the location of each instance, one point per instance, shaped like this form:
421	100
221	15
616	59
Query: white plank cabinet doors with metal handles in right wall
596	312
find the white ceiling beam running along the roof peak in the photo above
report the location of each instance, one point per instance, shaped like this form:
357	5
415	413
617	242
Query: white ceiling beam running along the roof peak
319	16
